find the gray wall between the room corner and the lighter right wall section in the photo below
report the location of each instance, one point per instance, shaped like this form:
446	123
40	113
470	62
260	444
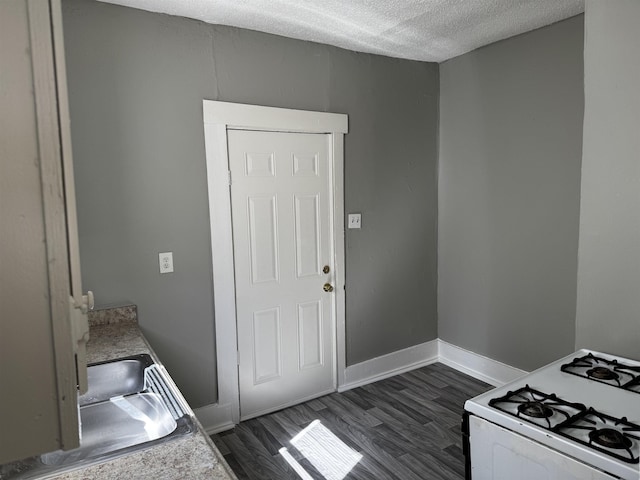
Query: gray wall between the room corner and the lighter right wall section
510	151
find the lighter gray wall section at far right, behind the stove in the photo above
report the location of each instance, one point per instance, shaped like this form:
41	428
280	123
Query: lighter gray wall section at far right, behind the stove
608	308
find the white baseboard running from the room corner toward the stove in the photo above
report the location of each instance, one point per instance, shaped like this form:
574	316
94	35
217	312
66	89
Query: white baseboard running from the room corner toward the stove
483	368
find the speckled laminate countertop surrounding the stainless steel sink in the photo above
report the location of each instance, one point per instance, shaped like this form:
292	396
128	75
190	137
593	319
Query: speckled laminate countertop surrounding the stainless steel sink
116	334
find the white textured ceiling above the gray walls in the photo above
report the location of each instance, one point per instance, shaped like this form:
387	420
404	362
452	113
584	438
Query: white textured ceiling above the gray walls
428	30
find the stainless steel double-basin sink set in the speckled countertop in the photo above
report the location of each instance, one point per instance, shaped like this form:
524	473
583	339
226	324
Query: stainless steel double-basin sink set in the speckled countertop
131	404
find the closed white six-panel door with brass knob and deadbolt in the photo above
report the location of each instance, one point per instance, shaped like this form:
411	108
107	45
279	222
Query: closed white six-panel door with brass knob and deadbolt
283	253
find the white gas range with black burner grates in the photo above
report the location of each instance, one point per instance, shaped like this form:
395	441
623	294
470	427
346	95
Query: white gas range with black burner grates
577	418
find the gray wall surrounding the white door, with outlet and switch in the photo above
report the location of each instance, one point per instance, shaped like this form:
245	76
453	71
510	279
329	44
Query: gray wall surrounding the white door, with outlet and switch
136	84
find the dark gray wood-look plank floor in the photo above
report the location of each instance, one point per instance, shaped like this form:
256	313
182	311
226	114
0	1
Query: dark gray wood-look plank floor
406	427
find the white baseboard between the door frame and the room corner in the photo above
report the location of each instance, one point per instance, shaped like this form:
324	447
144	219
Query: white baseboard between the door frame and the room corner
388	365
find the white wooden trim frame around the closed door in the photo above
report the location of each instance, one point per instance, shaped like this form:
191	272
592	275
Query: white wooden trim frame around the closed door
219	117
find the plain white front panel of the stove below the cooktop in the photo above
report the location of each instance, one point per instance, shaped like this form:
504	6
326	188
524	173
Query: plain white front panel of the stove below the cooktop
500	454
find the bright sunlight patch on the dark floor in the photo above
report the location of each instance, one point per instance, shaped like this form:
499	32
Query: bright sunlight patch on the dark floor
326	452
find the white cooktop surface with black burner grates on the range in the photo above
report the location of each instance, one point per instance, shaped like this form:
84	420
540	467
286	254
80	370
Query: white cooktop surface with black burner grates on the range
585	405
